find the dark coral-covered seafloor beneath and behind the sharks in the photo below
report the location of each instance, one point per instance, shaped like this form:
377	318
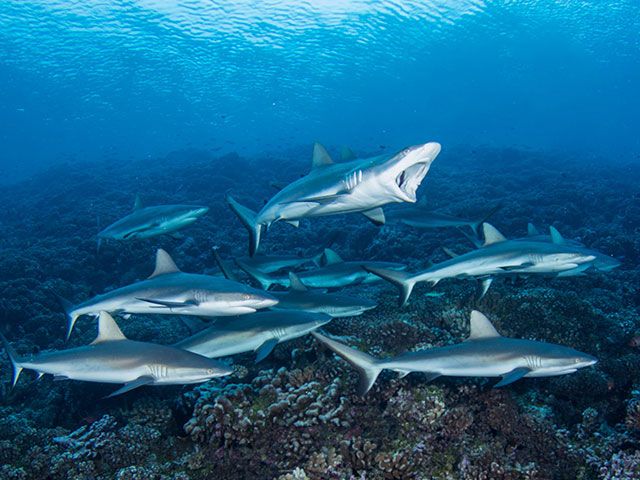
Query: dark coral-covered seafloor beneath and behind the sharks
295	415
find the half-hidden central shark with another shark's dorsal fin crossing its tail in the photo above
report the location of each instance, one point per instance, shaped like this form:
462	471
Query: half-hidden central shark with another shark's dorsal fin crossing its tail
335	274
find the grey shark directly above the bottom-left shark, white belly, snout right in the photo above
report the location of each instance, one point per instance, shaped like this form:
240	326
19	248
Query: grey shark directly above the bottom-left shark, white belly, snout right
171	291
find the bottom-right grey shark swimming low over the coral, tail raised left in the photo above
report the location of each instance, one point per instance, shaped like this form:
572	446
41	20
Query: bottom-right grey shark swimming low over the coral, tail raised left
485	353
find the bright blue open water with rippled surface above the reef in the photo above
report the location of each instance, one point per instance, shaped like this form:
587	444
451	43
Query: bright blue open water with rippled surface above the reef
98	80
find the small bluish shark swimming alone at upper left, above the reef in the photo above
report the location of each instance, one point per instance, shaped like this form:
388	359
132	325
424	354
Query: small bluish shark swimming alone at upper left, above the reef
146	222
